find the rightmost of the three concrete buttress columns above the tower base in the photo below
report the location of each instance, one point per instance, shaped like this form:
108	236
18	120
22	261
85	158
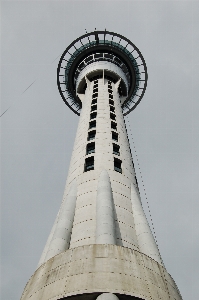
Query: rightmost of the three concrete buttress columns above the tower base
146	242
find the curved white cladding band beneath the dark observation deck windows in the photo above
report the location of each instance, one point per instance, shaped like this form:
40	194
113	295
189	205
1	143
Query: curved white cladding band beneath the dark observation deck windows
102	65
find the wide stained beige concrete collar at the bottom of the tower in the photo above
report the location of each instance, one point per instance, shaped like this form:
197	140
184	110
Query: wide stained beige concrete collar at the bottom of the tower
87	271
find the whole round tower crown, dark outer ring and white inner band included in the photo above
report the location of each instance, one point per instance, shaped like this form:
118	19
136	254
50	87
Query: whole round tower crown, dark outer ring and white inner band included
101	54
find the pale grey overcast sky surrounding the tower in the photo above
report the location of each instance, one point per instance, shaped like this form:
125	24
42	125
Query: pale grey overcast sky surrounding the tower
38	130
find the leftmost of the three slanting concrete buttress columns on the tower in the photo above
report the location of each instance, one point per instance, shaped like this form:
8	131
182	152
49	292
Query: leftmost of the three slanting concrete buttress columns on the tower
61	236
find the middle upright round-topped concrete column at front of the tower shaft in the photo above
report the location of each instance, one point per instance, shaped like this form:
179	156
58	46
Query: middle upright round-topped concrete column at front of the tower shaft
105	223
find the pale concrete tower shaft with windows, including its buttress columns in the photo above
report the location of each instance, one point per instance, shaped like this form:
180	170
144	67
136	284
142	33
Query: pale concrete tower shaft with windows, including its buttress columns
102	141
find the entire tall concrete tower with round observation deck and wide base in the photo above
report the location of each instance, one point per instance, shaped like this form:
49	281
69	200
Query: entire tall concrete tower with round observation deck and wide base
100	246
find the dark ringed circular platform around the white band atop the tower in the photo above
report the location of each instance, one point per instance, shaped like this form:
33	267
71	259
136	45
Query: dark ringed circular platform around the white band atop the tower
102	46
